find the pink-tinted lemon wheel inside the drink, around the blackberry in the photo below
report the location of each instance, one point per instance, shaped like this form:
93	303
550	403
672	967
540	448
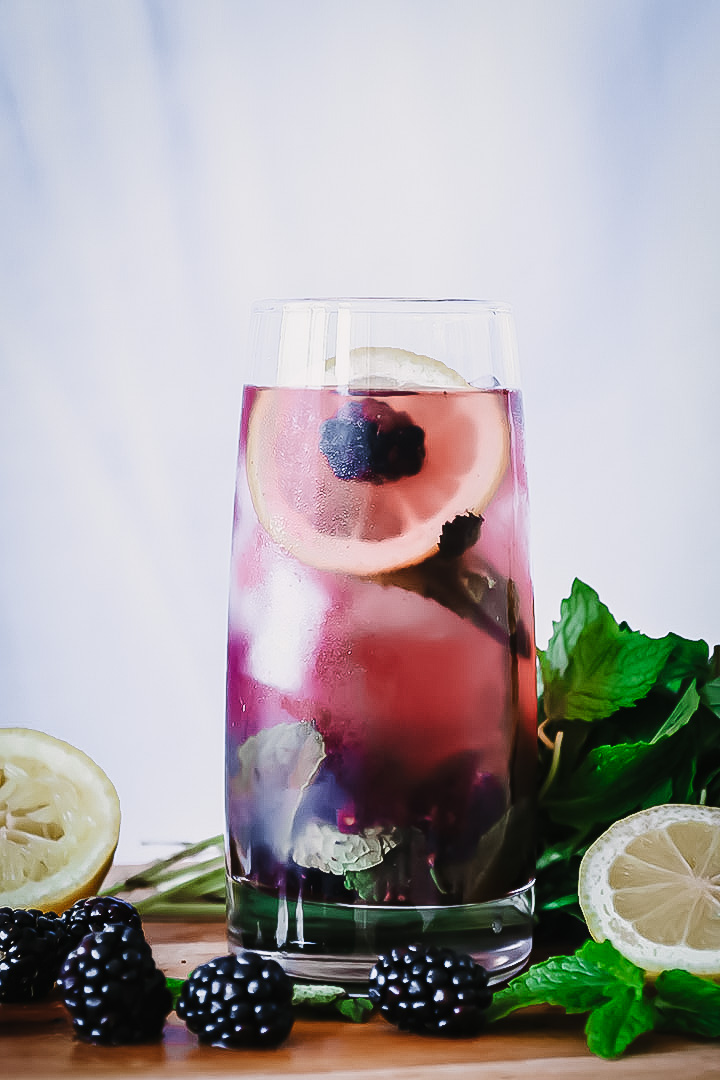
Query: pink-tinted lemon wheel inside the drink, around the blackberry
358	526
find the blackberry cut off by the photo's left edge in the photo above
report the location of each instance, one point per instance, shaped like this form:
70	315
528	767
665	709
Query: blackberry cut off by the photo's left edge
32	952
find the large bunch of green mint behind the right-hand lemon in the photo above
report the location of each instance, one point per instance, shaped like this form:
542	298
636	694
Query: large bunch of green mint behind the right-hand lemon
629	722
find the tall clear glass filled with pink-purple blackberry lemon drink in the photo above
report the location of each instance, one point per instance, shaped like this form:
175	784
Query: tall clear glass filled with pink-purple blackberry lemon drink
382	722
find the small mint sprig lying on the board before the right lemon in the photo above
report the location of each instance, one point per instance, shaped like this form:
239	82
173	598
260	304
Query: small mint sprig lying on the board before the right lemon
622	1005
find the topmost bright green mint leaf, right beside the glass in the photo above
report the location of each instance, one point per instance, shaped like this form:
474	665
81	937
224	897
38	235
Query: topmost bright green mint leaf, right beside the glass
594	667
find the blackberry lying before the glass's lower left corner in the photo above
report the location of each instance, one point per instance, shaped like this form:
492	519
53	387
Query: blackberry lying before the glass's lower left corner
238	1002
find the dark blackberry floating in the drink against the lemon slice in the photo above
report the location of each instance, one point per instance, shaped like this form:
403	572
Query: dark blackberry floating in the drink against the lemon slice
369	440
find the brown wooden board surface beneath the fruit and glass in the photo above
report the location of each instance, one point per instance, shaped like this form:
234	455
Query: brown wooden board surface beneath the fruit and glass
37	1044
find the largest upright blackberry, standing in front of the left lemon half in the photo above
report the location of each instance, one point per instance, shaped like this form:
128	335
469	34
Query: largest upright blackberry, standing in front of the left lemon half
113	990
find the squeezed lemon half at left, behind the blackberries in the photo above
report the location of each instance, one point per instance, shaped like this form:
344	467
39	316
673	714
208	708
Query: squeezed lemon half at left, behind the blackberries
60	822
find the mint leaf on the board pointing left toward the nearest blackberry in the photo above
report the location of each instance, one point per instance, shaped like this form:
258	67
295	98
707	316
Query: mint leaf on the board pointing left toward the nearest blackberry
577	983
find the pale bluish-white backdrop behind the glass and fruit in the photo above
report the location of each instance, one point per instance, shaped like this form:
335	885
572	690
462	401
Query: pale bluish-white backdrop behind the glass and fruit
164	164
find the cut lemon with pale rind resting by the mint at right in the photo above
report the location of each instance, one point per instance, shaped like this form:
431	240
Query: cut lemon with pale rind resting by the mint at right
651	886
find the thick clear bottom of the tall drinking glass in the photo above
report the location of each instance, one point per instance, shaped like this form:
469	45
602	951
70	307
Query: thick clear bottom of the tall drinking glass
339	943
